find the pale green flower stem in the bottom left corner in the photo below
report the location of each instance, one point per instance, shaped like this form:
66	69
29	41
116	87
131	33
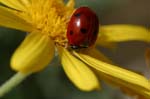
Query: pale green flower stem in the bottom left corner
12	82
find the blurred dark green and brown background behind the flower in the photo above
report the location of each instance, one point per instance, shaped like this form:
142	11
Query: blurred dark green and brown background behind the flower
52	83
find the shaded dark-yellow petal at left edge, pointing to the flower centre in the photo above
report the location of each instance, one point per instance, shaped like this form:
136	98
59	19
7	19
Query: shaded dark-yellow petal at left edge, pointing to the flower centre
11	20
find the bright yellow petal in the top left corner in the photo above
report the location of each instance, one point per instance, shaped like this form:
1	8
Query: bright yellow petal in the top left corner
16	4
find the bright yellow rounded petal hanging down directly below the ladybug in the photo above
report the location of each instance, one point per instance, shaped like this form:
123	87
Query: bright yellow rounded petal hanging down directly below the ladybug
79	73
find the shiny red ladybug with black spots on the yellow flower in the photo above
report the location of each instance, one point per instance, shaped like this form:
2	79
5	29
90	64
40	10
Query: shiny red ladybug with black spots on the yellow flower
82	28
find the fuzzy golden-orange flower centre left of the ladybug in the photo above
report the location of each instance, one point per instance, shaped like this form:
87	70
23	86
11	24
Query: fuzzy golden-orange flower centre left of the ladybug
50	17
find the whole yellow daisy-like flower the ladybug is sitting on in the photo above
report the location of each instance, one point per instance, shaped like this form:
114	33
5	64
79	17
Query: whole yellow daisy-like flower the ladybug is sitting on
45	21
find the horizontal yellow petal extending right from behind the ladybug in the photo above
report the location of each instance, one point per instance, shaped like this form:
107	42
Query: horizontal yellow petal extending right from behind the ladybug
122	33
